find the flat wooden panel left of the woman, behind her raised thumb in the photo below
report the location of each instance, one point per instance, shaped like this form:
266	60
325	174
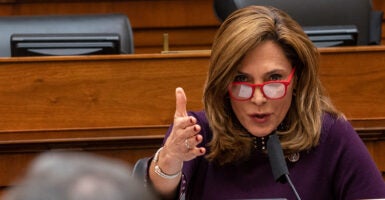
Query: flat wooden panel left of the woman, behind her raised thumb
96	91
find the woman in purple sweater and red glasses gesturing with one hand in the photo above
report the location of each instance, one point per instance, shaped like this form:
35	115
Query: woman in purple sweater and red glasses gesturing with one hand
263	79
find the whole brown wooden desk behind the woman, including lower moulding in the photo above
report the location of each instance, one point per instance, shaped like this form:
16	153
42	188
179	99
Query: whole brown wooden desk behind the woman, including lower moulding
121	106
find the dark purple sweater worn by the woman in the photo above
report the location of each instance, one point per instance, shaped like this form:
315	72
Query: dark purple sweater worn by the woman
340	167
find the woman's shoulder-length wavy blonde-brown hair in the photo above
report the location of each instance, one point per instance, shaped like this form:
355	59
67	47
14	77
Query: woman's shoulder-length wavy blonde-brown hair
241	32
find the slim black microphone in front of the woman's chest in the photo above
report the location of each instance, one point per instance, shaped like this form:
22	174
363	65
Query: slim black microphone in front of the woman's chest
278	163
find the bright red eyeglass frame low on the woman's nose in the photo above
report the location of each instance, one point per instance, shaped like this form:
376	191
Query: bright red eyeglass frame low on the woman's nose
261	85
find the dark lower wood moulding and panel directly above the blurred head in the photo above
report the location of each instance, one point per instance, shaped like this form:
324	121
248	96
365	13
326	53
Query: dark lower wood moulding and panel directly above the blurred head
15	154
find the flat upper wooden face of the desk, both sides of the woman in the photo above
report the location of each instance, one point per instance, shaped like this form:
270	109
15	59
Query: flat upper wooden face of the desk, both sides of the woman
134	90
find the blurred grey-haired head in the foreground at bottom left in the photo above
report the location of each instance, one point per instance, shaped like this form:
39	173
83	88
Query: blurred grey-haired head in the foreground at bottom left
77	176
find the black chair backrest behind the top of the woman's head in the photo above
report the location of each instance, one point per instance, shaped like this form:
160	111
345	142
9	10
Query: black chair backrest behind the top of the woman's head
320	13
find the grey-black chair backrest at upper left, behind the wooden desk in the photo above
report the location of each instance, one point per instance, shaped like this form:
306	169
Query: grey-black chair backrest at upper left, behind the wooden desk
66	24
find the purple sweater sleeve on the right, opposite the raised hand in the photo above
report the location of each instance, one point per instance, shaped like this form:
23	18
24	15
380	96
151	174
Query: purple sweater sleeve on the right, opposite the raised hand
356	176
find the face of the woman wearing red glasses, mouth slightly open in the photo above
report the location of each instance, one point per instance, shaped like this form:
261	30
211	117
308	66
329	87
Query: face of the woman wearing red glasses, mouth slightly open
260	115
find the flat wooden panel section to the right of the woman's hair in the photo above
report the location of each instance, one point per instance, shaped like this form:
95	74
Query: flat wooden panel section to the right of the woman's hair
353	76
